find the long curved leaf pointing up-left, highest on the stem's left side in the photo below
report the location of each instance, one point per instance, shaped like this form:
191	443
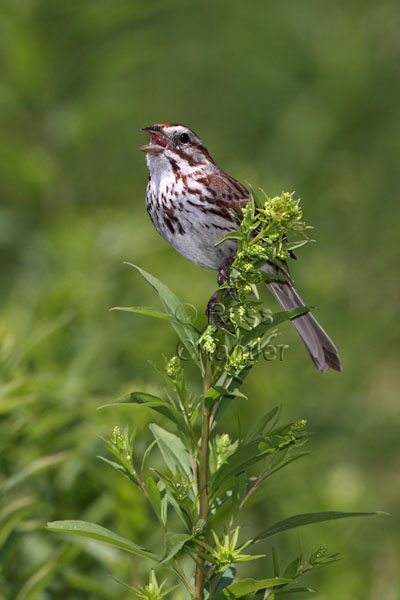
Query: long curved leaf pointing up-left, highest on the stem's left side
180	319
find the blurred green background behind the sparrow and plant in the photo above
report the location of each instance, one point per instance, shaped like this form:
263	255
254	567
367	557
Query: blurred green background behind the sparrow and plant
287	96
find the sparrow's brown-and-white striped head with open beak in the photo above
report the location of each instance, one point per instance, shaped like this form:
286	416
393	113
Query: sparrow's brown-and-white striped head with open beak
174	145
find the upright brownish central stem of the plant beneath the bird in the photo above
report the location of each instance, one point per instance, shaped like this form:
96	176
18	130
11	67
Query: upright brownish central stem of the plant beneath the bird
203	477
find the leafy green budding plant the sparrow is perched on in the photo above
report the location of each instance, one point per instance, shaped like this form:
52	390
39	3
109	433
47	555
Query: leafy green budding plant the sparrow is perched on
207	479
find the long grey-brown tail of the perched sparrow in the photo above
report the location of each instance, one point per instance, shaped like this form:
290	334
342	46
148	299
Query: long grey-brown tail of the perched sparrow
322	350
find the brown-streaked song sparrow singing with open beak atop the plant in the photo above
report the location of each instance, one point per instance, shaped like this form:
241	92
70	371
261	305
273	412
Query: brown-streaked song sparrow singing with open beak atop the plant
192	204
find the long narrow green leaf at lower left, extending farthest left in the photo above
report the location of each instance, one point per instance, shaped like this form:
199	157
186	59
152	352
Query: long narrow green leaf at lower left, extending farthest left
96	532
